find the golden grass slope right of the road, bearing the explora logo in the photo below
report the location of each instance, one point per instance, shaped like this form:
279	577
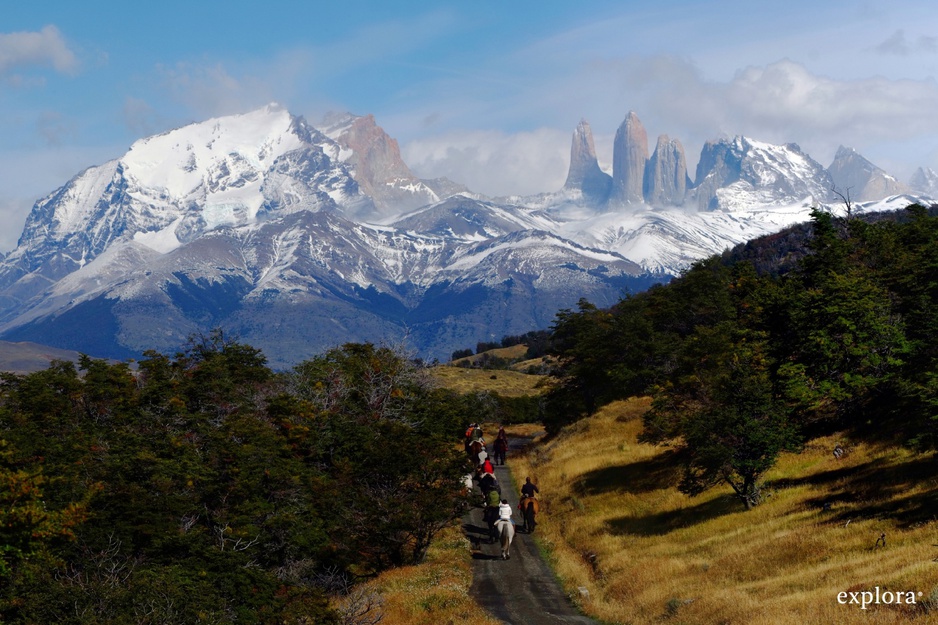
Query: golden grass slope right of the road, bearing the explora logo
614	522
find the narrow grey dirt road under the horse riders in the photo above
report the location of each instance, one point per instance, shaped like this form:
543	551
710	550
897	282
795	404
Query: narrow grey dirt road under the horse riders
521	590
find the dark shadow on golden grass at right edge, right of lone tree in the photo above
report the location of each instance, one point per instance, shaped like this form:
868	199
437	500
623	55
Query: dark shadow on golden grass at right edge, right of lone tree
874	489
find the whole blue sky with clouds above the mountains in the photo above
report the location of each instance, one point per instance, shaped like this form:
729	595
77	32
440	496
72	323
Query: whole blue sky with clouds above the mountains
486	93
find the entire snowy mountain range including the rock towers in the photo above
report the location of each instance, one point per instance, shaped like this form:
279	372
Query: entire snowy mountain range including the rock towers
297	238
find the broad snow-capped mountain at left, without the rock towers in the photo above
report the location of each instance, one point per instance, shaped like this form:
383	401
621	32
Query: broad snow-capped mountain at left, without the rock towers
260	224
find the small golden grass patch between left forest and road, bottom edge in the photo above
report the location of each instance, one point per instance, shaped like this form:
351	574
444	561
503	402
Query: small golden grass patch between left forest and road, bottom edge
435	592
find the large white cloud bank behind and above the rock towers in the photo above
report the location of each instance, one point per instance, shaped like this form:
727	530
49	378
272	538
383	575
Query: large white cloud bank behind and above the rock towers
780	102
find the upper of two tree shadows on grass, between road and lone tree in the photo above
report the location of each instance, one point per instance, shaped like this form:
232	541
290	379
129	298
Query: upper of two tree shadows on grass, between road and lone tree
661	471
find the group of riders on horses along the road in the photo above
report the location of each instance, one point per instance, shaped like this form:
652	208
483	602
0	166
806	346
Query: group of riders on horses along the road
504	530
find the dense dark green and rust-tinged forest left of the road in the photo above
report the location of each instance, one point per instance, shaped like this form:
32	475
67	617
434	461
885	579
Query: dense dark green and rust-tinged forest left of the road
203	487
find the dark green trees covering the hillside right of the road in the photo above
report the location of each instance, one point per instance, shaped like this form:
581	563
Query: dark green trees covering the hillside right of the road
830	328
